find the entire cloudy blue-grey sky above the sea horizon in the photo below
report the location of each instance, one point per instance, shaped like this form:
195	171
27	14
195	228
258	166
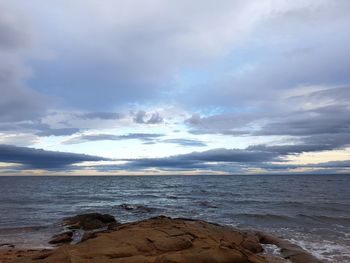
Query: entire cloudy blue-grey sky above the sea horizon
161	87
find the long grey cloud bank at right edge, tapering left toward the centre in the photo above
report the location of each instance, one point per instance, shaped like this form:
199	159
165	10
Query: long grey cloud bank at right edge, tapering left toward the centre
309	114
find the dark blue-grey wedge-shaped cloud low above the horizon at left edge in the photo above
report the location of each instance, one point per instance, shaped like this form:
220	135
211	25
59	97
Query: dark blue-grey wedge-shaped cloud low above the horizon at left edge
40	159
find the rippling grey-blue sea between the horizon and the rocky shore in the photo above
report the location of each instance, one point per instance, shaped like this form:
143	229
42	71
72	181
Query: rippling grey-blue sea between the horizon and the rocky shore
310	210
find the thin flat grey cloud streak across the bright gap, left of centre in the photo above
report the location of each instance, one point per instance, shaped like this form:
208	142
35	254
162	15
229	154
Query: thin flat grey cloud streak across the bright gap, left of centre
145	137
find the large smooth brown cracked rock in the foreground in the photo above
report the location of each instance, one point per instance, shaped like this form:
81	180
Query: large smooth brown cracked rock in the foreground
161	240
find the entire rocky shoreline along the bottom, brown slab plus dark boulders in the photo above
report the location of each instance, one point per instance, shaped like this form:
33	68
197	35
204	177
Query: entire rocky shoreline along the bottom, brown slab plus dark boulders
159	238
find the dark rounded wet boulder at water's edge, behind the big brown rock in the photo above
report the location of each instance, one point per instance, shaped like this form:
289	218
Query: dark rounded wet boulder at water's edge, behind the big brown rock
90	221
